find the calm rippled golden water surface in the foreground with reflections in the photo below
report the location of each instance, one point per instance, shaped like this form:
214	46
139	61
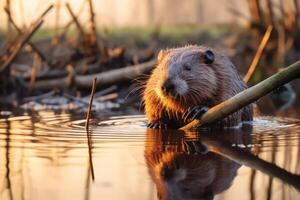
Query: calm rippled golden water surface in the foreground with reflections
46	156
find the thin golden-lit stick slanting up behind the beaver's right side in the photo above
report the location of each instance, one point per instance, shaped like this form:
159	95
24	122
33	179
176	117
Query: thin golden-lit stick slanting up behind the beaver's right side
258	54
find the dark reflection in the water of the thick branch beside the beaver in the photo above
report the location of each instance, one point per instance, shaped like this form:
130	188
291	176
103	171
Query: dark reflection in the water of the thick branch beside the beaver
245	158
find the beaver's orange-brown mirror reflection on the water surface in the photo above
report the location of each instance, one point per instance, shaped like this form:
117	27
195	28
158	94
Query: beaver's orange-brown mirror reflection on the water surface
182	167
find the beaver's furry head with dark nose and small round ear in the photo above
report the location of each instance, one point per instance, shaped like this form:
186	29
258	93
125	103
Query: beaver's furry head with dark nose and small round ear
187	76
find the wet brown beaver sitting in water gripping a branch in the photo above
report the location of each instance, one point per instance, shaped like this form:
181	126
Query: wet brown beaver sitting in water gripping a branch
186	82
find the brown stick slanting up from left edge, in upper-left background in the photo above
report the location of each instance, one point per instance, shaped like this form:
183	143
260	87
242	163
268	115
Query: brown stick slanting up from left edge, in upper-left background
26	37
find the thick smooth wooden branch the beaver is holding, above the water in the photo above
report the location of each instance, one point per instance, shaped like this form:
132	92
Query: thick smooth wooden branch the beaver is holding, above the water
247	96
